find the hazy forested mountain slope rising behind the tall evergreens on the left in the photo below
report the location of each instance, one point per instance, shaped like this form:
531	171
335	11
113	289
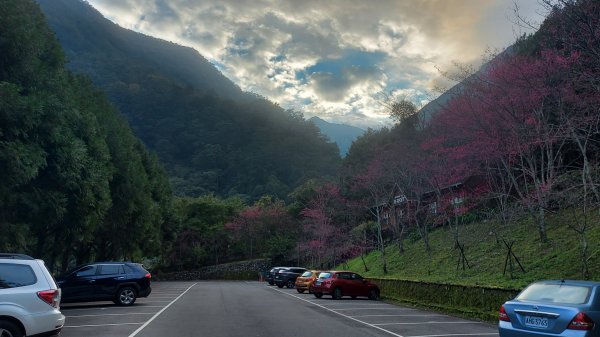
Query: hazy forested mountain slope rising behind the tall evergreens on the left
212	137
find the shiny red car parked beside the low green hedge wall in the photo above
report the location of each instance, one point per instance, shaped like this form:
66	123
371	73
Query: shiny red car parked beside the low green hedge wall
344	283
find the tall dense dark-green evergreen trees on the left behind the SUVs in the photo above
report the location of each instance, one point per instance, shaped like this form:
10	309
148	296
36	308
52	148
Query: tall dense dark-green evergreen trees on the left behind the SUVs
76	184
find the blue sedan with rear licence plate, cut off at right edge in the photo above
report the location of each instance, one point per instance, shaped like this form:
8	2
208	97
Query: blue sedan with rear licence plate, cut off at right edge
553	308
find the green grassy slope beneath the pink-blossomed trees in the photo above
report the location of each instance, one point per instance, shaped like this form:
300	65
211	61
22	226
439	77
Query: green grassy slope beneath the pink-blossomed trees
558	258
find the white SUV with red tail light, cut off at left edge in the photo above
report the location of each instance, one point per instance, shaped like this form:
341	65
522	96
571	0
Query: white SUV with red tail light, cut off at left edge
29	298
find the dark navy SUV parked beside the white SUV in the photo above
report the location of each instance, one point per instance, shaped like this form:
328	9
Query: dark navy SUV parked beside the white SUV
120	282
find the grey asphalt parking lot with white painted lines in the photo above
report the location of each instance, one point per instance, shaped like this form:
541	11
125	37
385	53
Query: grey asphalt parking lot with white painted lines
220	308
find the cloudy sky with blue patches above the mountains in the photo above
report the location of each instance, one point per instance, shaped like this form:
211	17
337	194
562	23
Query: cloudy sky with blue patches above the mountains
341	60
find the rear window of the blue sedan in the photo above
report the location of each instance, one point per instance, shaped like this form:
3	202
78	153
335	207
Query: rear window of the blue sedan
555	293
